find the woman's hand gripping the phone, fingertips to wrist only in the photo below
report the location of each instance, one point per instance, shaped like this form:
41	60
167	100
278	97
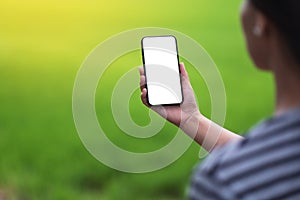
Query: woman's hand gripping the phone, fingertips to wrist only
180	114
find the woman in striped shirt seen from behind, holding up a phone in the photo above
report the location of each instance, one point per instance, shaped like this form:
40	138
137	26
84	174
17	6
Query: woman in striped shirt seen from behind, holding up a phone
266	163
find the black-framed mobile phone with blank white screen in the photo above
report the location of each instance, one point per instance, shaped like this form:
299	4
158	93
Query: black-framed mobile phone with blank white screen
162	72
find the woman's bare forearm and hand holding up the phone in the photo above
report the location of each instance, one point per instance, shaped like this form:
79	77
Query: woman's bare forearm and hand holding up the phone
188	117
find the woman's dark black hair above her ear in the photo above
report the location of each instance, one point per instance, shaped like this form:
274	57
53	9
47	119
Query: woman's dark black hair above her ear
285	15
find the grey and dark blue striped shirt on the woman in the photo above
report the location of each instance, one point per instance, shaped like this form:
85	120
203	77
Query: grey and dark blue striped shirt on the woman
263	166
